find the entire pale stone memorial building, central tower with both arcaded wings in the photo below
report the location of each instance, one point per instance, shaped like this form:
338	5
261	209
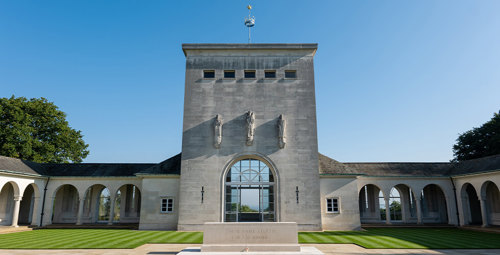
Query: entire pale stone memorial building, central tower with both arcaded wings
250	154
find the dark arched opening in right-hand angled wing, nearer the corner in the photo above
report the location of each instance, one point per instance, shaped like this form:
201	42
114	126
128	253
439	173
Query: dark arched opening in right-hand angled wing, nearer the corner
471	206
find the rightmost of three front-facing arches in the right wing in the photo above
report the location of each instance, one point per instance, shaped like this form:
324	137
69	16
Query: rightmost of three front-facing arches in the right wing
434	204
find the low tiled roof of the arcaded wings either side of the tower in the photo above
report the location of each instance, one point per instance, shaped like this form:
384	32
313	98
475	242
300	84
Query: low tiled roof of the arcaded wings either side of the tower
328	166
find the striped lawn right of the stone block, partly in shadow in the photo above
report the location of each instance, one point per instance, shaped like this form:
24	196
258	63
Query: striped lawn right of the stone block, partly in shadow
413	238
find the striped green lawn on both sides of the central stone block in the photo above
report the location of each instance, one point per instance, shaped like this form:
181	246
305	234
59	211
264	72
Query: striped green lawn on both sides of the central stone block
433	238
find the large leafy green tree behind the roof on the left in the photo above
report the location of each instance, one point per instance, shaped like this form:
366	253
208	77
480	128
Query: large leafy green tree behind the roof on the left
37	130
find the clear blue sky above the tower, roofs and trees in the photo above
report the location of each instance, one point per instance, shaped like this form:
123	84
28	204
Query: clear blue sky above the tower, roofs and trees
395	80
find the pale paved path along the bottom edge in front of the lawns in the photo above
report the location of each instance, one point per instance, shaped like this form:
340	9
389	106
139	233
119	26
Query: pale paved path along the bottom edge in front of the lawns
328	249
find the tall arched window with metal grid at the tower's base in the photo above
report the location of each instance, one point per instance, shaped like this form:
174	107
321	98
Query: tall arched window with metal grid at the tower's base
249	192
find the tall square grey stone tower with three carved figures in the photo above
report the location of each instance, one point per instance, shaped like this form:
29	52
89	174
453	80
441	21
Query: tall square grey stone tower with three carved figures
249	147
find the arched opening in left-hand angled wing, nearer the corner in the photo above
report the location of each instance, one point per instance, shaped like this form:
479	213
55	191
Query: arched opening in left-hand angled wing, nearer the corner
29	204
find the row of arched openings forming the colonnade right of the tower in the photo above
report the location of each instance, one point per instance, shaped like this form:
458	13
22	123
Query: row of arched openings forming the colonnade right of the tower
430	204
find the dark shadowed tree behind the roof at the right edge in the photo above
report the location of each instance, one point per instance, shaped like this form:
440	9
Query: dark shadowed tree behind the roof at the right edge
480	141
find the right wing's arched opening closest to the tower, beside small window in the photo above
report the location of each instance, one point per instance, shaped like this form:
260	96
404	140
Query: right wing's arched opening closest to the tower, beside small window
369	203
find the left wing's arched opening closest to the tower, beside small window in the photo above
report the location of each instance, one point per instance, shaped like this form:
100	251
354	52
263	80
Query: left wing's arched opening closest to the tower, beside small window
127	207
